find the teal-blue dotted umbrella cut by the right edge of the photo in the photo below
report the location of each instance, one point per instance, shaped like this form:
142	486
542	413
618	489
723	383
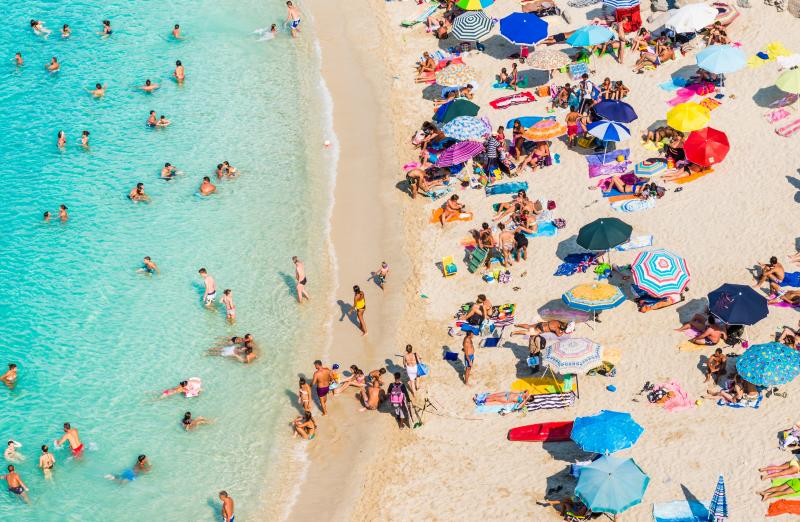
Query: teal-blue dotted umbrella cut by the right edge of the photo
769	364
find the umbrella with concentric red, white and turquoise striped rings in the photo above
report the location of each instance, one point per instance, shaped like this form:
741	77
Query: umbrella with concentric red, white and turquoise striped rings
660	273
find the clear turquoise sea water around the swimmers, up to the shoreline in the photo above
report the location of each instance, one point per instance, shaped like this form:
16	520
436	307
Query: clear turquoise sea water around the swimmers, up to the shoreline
94	340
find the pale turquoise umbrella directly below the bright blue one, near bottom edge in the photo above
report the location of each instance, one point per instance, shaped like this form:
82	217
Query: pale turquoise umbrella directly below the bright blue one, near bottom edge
611	485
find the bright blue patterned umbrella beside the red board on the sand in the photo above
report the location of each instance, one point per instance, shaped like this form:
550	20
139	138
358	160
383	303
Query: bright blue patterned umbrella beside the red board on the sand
606	432
